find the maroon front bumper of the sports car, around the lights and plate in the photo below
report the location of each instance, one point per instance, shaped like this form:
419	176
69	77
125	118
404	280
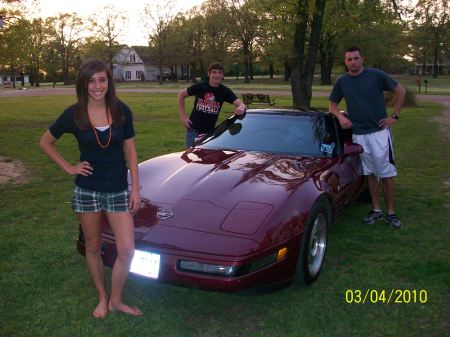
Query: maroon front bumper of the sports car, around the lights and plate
265	278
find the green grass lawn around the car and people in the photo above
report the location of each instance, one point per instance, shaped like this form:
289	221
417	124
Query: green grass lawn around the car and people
45	288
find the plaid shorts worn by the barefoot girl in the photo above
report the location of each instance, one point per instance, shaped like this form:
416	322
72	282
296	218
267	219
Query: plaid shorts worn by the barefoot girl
87	201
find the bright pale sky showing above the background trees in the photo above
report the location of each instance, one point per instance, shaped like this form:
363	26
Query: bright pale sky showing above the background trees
131	8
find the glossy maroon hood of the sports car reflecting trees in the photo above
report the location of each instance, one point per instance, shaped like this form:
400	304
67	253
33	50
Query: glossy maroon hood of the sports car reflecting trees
217	194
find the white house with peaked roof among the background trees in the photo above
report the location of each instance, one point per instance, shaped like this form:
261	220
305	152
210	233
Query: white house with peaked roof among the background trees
129	66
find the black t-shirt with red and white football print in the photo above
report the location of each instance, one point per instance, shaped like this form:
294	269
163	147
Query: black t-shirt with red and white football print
207	105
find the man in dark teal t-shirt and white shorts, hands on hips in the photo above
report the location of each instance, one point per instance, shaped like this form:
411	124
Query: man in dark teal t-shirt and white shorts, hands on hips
363	91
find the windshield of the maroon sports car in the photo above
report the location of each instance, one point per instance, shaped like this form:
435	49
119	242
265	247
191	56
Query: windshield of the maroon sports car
300	135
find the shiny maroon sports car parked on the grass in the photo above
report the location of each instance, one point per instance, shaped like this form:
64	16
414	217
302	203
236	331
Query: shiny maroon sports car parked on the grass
248	208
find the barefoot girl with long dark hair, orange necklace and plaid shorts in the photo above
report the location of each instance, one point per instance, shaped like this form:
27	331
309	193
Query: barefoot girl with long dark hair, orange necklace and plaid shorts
103	127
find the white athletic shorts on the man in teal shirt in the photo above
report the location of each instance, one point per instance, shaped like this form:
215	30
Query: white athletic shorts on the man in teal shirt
378	156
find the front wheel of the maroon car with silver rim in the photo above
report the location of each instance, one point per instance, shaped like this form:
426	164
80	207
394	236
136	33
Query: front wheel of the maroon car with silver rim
314	243
